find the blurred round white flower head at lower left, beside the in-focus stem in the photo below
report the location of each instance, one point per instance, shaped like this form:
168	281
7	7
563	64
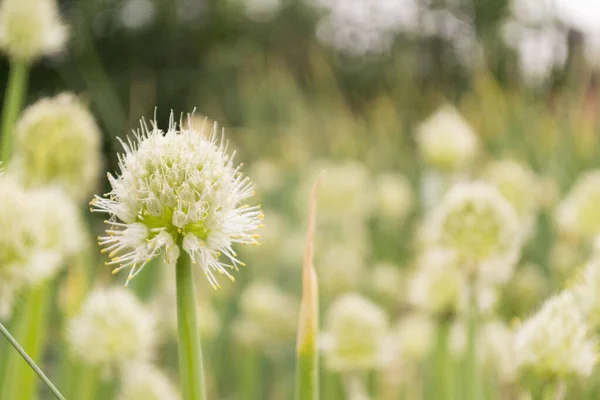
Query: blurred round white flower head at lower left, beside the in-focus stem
112	329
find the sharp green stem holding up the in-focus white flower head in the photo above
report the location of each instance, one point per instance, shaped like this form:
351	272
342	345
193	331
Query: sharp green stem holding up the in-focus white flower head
190	354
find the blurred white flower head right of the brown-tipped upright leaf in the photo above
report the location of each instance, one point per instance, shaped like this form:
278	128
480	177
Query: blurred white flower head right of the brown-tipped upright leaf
356	335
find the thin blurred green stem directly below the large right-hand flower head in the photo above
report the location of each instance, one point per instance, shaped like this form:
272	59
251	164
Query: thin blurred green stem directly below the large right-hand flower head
471	367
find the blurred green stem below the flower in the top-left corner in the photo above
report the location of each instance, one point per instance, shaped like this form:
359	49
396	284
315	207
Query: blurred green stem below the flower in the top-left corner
13	100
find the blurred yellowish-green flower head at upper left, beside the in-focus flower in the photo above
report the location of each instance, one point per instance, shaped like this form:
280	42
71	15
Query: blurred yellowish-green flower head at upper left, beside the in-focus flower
58	141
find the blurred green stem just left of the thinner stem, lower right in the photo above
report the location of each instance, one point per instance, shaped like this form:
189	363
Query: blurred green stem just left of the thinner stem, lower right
443	362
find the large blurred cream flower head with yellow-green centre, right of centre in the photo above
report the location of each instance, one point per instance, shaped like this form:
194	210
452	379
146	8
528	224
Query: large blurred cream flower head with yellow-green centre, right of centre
476	222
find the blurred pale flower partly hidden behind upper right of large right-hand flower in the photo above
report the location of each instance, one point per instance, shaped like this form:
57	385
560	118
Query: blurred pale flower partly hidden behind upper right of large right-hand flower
519	185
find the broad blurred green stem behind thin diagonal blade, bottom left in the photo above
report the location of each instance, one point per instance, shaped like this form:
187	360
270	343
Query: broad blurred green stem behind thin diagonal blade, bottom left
31	325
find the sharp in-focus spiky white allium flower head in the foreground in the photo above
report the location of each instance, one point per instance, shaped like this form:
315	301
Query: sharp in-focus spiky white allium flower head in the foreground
178	190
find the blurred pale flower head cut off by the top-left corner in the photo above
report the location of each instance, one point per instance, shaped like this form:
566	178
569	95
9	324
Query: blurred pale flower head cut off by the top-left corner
31	28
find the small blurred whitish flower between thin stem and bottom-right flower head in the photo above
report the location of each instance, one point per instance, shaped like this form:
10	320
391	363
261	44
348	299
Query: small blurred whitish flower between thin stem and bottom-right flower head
498	354
